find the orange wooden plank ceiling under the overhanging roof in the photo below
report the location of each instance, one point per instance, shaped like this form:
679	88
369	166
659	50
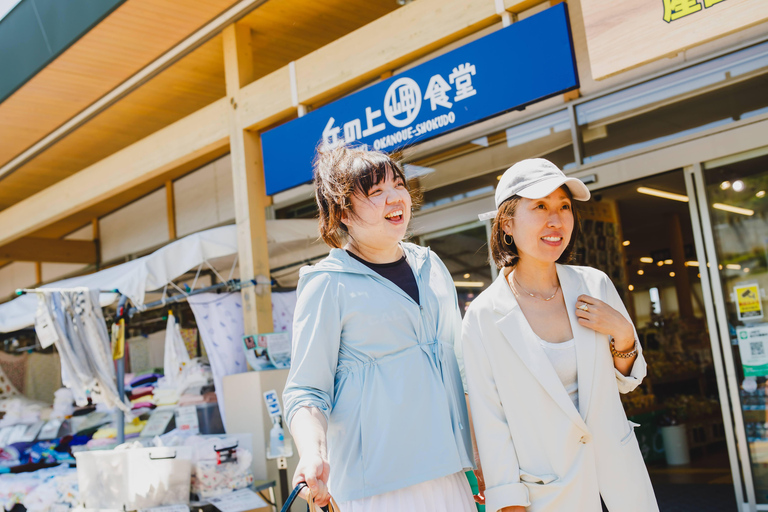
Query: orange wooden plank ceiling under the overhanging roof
130	38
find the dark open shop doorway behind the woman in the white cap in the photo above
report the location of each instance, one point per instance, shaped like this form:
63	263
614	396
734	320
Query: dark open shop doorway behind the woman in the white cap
641	234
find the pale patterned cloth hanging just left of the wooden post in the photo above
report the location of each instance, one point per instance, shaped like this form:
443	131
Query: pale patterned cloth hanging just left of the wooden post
220	321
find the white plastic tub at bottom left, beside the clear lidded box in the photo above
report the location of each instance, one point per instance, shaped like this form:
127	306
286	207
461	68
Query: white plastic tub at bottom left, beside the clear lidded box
134	478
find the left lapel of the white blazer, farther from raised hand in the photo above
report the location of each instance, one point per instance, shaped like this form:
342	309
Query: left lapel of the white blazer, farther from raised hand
515	328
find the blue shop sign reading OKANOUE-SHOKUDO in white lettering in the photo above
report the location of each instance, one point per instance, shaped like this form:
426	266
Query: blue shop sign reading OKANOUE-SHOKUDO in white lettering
529	61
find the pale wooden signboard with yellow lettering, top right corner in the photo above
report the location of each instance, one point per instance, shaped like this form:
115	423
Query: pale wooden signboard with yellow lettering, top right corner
623	34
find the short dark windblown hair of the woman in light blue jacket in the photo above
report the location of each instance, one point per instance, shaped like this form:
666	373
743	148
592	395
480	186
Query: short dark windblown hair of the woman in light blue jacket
343	171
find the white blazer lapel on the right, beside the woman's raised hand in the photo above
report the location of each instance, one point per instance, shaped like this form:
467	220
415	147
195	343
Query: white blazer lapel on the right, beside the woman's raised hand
586	339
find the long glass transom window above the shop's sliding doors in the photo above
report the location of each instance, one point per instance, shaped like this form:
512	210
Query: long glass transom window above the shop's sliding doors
701	97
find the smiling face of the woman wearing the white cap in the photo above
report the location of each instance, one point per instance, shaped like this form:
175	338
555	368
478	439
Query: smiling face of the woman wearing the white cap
542	228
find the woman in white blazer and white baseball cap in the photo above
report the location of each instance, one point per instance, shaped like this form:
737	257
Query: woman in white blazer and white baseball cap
547	349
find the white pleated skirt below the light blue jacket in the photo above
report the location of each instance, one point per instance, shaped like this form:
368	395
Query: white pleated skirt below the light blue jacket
447	494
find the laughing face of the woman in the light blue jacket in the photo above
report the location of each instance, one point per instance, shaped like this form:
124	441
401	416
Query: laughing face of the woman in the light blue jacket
379	218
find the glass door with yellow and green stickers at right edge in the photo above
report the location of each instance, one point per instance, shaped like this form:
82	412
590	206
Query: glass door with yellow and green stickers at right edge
736	207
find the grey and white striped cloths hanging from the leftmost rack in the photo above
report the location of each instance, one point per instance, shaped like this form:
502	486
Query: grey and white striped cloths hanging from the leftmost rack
74	322
